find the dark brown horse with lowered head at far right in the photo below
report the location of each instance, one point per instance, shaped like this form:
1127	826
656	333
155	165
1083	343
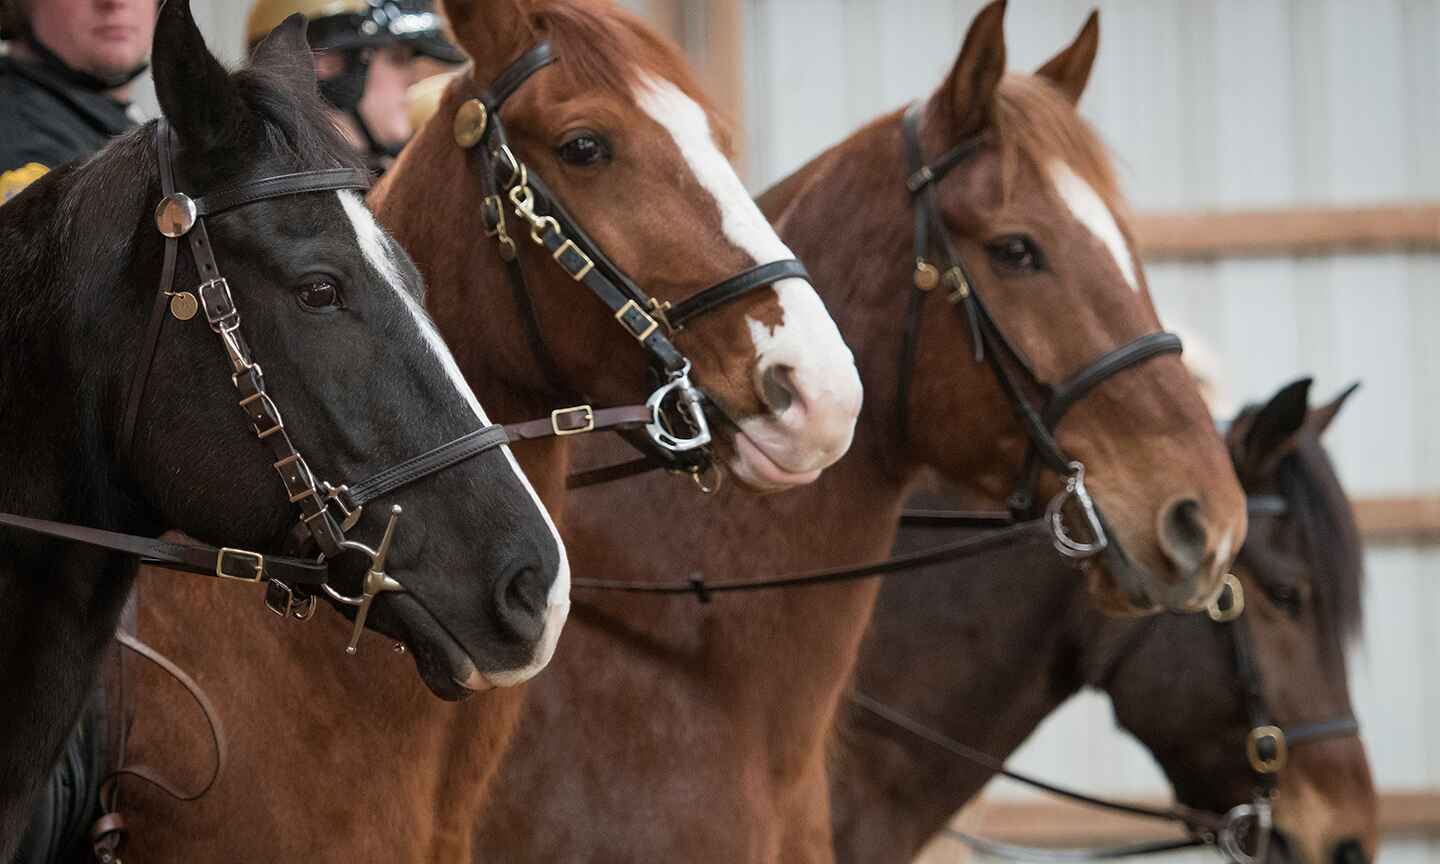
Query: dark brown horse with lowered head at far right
984	656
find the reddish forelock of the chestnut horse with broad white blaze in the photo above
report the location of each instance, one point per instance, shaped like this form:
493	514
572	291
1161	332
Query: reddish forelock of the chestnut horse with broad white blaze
606	48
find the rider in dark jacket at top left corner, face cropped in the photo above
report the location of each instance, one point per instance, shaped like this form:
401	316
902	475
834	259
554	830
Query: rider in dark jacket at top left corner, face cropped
66	83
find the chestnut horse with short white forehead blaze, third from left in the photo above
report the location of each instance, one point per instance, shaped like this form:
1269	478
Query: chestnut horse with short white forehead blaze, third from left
689	732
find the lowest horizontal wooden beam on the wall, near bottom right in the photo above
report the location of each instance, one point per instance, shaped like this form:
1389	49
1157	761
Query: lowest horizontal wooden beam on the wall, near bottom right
1055	823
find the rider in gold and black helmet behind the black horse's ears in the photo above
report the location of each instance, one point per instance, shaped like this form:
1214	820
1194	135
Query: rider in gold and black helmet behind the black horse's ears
368	54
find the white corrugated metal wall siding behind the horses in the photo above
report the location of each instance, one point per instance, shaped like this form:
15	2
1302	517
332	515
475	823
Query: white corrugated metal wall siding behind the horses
1229	104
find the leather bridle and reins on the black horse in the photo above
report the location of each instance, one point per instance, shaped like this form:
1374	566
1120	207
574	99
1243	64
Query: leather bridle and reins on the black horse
320	535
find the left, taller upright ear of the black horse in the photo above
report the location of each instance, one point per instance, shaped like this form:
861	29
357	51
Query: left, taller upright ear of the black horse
194	89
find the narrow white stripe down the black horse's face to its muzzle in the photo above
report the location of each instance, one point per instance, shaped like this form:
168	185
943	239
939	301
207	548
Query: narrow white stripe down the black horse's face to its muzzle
375	246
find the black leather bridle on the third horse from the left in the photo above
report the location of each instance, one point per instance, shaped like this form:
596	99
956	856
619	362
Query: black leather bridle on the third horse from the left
1006	361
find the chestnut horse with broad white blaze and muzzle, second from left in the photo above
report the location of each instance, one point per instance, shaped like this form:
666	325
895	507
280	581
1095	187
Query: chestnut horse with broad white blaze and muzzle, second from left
621	138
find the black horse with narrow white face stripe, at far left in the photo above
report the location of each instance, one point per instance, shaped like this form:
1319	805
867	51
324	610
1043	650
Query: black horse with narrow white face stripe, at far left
305	282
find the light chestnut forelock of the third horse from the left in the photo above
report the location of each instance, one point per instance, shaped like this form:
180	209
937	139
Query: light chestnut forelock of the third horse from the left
1035	123
